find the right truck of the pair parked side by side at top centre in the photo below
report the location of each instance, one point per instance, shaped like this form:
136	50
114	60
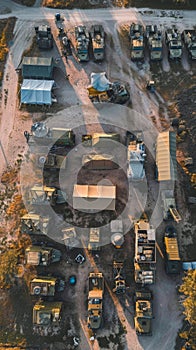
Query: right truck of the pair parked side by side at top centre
97	35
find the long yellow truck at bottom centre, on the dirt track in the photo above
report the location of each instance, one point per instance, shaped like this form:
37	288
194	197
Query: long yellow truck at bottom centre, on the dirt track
95	300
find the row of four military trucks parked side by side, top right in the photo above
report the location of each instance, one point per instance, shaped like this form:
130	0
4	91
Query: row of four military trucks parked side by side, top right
152	37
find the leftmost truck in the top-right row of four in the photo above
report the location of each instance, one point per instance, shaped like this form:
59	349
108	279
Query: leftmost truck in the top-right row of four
136	36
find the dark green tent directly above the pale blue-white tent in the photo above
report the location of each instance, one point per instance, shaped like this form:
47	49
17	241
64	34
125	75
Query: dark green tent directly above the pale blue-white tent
37	68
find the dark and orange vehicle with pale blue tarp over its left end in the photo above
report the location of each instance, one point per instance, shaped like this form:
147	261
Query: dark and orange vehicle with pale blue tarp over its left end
102	90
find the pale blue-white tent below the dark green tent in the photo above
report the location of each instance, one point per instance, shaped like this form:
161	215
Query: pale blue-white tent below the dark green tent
36	91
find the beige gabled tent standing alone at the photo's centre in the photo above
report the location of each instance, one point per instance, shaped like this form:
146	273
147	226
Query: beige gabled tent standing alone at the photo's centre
93	197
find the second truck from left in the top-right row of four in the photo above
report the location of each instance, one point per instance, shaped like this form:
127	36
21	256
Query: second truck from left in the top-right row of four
154	42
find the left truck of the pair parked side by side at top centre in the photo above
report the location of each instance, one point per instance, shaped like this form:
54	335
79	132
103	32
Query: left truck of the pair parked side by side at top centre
82	43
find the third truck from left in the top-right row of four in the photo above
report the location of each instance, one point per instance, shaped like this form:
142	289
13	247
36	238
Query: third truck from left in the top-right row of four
174	43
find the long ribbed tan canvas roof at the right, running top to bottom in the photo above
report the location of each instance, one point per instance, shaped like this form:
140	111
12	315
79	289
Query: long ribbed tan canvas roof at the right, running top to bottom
166	156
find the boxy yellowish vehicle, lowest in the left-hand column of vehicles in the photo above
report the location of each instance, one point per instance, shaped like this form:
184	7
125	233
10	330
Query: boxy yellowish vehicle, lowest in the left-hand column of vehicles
47	314
